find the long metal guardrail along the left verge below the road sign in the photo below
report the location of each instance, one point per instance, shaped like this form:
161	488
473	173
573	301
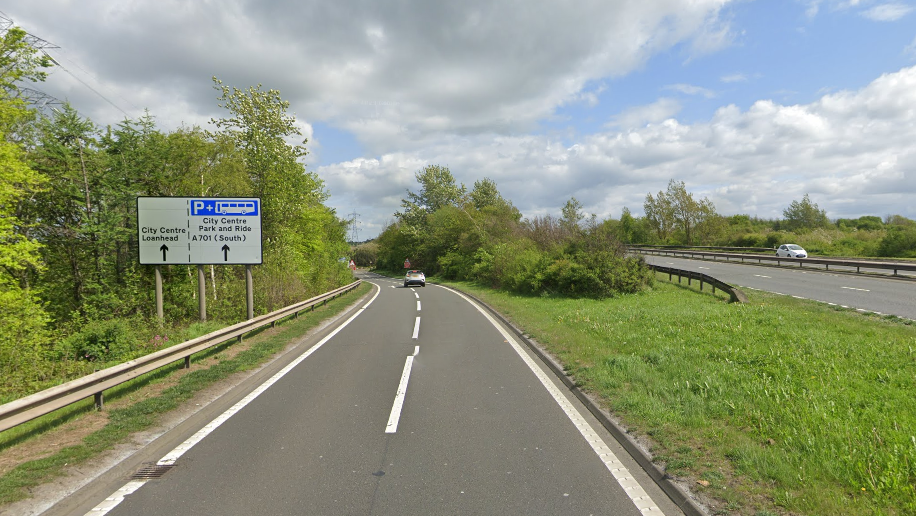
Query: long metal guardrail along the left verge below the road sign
36	405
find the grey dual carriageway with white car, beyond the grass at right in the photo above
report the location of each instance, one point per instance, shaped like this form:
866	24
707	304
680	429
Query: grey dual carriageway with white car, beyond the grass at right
881	295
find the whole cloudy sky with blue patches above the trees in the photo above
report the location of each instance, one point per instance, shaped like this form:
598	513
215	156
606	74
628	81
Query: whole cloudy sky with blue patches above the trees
751	103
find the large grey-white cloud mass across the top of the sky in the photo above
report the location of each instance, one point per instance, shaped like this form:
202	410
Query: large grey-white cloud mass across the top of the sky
452	66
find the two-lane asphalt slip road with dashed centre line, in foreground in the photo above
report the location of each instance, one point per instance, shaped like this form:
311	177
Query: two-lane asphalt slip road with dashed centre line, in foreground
391	416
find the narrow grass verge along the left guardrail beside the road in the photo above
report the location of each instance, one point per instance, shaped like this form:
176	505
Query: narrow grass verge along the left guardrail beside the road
16	484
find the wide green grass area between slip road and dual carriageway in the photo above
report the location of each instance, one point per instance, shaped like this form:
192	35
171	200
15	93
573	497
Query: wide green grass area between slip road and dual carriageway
781	405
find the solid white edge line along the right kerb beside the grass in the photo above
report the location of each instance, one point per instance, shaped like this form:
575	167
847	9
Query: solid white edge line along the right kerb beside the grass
630	485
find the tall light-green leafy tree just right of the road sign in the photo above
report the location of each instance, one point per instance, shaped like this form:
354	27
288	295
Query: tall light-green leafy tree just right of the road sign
304	239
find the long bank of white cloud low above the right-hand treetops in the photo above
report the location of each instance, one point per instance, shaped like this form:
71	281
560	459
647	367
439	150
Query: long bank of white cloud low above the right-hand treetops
851	150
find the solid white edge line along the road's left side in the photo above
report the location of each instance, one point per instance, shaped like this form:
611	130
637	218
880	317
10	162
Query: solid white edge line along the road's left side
170	458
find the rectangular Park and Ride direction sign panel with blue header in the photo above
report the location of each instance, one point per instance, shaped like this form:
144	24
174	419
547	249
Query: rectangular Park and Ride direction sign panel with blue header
199	230
